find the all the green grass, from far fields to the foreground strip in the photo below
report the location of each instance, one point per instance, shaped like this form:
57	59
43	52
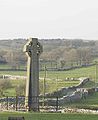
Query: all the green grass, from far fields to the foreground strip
54	81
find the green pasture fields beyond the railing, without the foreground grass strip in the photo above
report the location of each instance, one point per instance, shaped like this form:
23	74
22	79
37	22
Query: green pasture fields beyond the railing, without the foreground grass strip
57	79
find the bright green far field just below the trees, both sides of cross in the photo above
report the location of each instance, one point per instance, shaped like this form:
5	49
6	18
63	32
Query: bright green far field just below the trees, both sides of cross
75	73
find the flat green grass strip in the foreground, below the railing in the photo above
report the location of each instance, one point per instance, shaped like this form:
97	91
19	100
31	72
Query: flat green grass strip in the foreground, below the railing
49	116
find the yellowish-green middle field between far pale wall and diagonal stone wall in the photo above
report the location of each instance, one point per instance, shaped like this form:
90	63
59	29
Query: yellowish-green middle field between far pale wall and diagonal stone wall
51	85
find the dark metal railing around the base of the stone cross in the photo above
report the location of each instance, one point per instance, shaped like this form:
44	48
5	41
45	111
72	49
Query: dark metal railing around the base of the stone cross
18	103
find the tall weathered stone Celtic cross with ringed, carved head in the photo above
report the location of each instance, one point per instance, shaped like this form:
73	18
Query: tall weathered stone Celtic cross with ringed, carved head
33	49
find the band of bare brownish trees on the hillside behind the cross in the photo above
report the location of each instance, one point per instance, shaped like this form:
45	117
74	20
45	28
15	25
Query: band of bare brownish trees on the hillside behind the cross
62	52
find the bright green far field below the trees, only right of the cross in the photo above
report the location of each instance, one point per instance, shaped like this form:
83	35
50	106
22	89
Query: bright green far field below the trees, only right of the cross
75	73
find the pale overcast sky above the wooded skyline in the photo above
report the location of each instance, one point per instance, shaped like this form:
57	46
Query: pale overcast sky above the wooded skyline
49	19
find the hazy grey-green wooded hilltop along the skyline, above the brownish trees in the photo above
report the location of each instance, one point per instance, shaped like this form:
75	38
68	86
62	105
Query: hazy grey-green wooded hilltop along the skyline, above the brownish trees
48	44
